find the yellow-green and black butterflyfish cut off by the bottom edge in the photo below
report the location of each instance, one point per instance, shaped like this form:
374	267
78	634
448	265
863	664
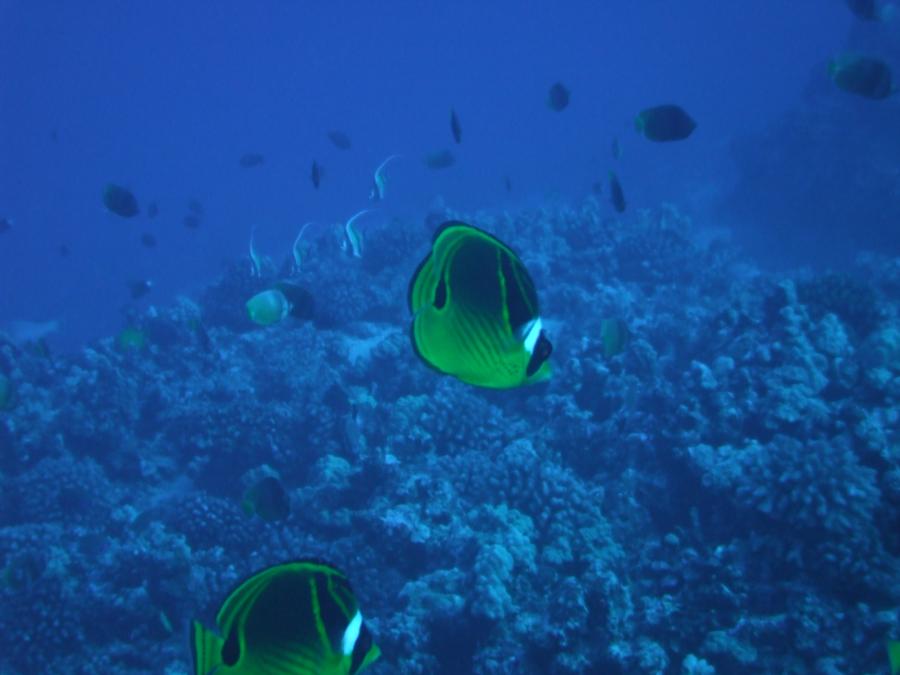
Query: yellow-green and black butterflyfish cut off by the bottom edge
299	617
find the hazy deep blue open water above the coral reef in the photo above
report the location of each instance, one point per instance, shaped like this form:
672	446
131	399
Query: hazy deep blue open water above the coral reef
165	96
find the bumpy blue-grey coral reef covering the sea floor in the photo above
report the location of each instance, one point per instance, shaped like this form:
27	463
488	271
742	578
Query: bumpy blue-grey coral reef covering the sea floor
723	496
